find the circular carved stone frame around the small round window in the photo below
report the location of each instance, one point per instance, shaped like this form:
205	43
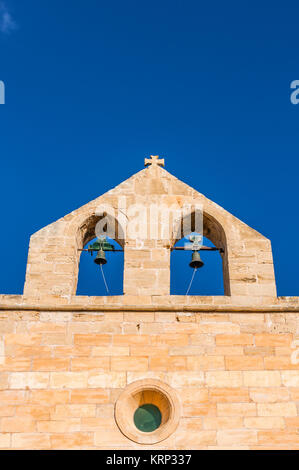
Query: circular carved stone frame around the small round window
125	408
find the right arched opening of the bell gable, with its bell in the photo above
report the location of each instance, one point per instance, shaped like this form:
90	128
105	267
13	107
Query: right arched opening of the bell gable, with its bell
213	277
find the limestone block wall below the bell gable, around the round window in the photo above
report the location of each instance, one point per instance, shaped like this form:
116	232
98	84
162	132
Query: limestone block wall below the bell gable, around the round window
62	370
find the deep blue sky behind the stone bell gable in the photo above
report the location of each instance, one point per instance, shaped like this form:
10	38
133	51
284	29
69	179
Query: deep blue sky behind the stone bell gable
93	87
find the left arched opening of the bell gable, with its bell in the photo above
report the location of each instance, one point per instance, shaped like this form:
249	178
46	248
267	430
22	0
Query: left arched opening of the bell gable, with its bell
100	279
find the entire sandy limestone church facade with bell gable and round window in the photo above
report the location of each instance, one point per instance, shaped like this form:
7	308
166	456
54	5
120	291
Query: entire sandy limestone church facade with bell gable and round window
214	372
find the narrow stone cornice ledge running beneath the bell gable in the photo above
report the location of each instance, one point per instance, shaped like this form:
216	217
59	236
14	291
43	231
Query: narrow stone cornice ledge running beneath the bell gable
169	303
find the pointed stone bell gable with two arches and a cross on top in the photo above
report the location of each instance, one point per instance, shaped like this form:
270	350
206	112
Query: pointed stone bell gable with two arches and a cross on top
53	259
